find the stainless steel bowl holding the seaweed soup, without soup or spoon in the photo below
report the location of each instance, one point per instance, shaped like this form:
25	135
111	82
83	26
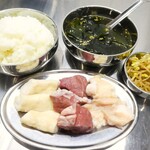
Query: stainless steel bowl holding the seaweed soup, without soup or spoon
81	54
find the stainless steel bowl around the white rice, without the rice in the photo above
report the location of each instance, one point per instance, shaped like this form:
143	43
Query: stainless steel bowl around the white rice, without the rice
37	64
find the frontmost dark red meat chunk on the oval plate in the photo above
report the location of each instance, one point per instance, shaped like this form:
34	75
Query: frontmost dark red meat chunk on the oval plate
76	119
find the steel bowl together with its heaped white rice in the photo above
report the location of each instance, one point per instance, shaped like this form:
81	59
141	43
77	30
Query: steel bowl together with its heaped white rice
28	41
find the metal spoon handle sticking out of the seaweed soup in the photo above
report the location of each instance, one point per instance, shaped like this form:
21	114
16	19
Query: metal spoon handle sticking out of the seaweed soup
124	14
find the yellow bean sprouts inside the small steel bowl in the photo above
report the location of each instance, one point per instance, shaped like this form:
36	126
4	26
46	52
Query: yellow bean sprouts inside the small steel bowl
138	69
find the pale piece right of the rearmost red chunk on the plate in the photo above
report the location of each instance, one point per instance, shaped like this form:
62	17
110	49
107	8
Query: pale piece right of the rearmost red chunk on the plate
100	88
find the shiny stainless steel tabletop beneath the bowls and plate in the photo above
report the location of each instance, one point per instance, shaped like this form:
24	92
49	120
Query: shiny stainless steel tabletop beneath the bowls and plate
139	138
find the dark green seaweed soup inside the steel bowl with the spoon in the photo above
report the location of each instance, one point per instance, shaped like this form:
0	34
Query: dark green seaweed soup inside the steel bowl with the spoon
90	33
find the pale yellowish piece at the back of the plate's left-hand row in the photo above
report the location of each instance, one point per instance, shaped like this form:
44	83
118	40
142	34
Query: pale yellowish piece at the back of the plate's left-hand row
35	86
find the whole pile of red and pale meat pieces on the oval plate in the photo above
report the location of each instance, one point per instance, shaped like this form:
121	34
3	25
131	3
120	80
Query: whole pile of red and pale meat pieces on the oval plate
71	104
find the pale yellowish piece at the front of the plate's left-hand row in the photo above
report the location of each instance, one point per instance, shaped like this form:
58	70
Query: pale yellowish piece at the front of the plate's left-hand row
44	121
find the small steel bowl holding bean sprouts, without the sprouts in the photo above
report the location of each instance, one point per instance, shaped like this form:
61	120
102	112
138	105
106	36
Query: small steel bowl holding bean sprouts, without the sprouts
130	84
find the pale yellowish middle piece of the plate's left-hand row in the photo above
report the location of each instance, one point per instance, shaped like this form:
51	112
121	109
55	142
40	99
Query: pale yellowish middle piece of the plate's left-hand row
38	102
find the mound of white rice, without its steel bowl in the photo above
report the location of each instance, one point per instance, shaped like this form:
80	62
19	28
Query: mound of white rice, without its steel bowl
23	38
